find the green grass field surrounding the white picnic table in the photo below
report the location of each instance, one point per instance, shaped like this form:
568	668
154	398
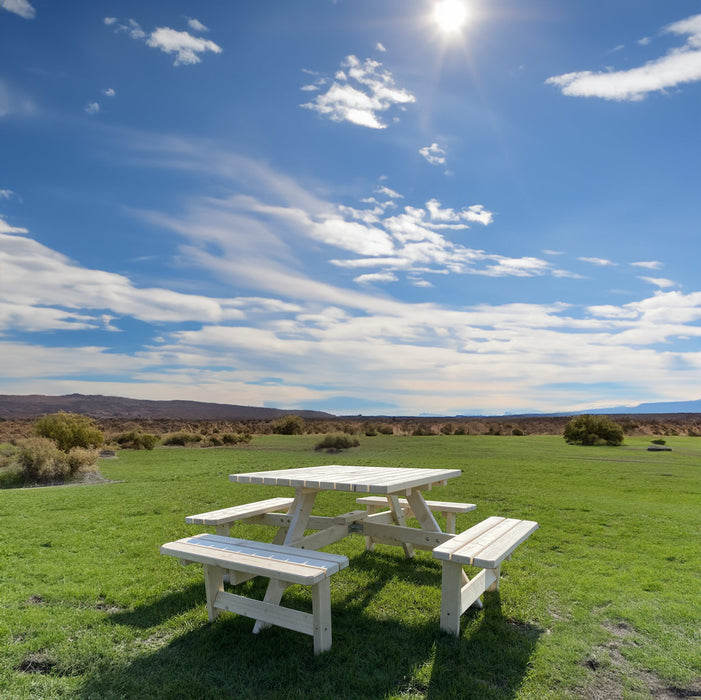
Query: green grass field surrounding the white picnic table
603	601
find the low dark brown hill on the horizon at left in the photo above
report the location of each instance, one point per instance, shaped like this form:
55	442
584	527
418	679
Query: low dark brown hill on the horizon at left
33	405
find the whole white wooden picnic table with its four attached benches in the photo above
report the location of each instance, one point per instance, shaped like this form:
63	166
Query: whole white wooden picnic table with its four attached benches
292	556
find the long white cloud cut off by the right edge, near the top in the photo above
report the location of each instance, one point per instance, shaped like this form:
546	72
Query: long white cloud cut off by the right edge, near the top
679	66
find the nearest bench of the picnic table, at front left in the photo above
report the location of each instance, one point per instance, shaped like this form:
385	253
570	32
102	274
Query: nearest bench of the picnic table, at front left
284	565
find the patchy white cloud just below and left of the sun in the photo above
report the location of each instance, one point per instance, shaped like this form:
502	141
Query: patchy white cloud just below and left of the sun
360	90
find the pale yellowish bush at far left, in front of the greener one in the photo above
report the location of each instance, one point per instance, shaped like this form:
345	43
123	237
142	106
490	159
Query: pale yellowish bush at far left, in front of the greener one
40	460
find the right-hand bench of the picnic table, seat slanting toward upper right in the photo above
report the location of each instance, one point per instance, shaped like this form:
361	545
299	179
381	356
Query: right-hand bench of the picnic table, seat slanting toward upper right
485	545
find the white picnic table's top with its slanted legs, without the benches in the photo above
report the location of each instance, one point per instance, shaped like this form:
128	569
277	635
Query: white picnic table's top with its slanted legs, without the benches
388	527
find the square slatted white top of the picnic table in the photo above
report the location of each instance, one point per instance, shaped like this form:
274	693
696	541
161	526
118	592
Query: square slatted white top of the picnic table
334	477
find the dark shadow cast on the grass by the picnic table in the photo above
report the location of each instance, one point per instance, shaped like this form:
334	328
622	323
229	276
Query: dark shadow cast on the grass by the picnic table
373	655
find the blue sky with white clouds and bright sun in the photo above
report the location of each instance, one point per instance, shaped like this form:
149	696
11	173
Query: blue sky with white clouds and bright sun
393	207
